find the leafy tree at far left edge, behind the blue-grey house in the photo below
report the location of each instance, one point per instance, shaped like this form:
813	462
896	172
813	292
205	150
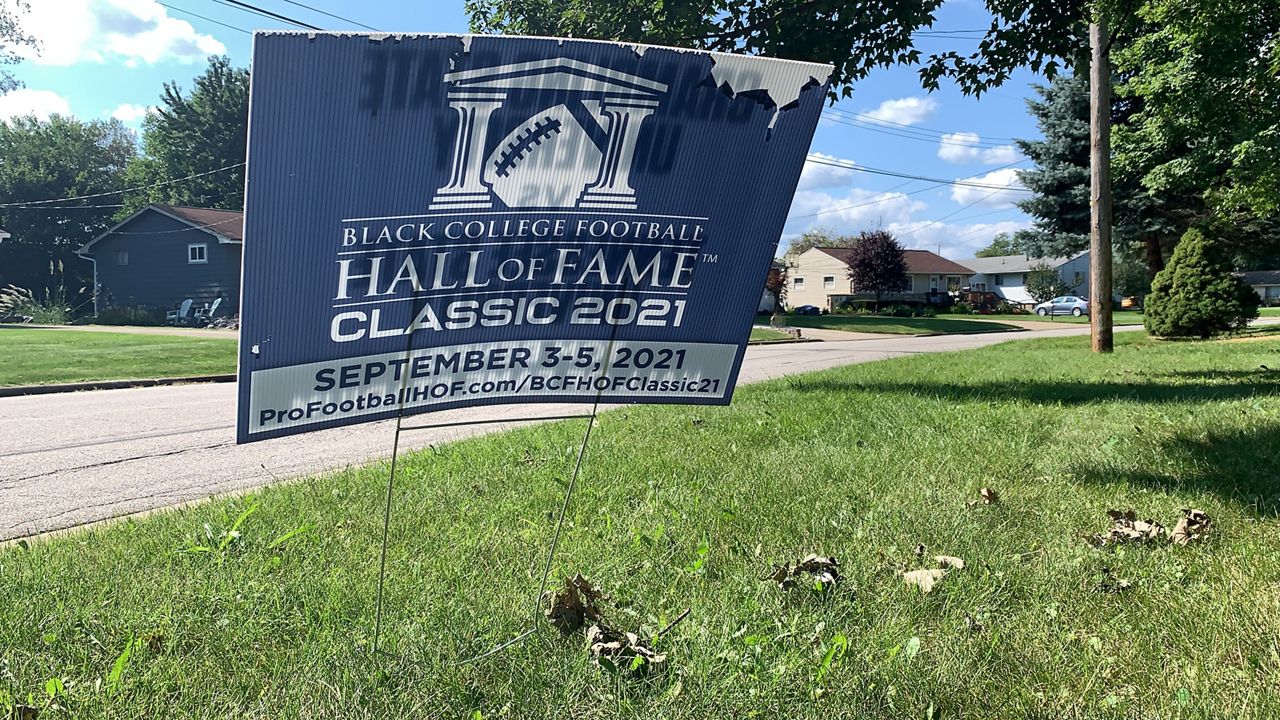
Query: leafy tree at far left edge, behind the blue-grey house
42	161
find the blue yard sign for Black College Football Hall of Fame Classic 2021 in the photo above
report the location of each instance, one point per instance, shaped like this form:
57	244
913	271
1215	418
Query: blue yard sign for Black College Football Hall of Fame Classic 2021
445	221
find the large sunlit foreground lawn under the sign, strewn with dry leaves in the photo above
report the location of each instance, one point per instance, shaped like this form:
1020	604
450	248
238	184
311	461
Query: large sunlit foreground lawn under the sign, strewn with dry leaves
862	463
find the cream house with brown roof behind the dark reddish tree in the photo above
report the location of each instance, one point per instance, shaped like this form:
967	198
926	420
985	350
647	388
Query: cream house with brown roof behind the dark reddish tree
820	277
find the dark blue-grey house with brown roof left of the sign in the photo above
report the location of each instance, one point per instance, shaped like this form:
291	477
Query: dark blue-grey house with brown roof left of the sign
166	254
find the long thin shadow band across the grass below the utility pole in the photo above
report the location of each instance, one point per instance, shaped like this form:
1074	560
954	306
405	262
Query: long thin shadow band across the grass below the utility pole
1069	393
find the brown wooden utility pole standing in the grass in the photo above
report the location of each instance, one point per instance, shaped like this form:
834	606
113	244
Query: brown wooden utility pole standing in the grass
1100	189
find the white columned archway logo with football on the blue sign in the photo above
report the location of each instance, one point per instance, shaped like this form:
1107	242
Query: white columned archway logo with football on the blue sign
575	153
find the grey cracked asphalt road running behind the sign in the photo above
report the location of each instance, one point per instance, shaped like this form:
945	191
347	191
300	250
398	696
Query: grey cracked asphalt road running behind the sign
72	459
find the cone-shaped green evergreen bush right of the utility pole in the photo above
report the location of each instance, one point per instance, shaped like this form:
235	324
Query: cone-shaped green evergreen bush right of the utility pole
1196	295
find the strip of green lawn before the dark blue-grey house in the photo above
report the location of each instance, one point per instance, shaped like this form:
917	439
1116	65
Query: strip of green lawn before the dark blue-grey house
43	357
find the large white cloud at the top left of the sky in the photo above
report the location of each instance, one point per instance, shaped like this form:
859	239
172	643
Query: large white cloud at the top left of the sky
95	31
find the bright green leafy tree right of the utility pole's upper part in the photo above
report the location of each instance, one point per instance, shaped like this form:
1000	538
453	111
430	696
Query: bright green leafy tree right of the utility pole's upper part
1206	76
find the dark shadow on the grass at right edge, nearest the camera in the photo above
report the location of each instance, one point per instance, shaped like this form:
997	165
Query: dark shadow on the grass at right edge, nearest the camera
1240	466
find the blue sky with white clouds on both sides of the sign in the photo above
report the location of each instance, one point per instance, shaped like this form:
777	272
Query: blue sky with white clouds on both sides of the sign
104	58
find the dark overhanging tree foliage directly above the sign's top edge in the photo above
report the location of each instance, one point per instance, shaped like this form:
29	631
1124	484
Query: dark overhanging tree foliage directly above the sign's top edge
856	37
